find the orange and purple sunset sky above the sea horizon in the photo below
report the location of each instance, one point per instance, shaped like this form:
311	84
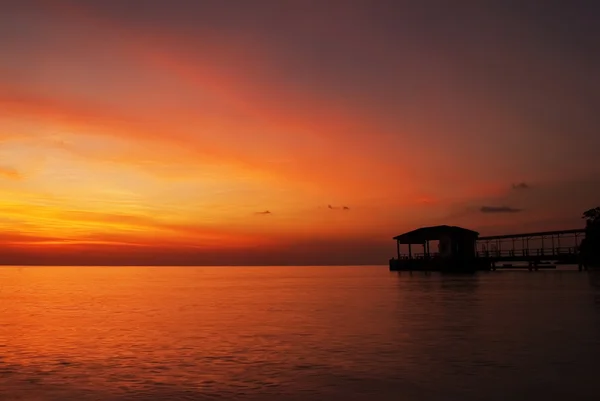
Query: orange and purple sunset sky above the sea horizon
289	132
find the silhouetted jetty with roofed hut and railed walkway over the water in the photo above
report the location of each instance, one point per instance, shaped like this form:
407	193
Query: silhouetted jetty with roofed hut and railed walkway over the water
460	249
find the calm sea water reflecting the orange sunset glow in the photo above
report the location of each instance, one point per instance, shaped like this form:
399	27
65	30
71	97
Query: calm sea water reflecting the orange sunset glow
296	333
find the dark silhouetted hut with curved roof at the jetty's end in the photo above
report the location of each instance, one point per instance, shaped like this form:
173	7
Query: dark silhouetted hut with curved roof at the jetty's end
456	246
